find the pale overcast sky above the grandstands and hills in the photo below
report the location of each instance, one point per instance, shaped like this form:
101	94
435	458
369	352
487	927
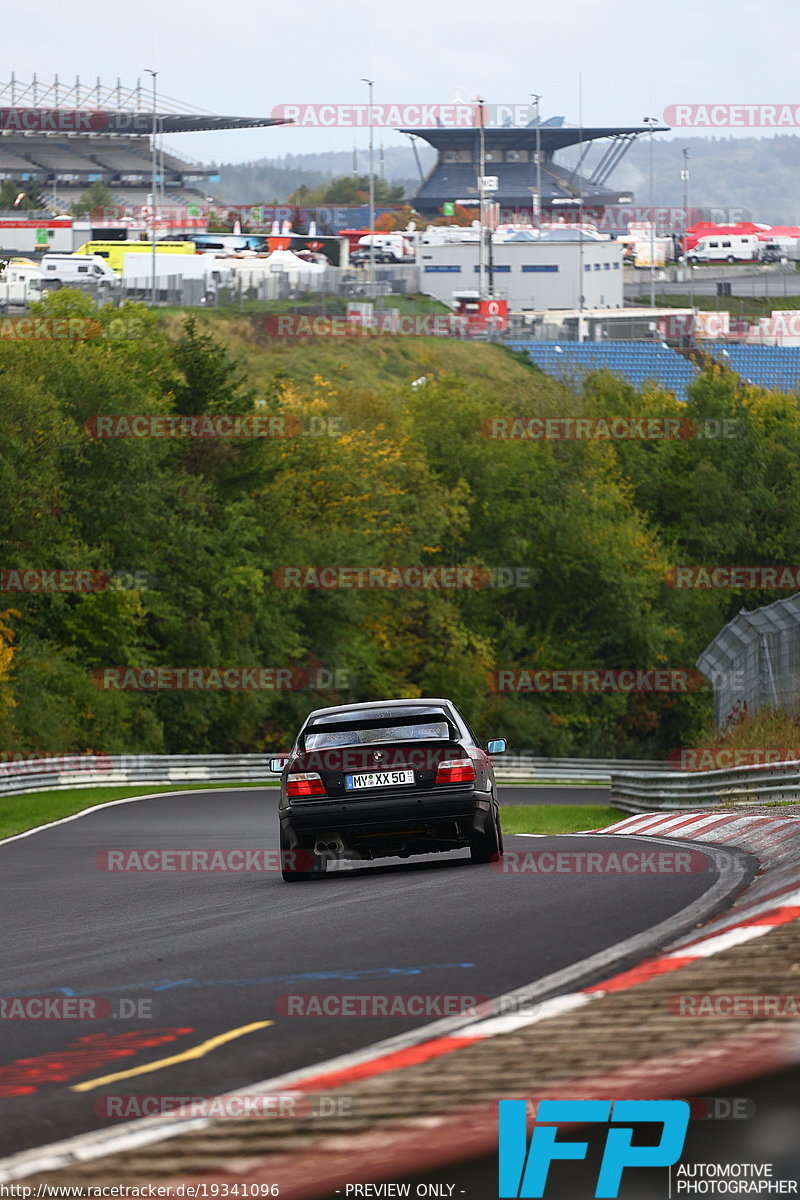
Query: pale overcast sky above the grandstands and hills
635	59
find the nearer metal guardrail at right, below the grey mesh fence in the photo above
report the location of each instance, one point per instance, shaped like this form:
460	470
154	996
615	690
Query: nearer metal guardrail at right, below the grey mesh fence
694	791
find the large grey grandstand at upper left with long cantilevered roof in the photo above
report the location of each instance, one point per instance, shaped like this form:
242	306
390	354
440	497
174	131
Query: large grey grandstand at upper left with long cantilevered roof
67	137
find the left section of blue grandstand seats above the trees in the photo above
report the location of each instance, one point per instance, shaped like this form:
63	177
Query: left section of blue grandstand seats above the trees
635	362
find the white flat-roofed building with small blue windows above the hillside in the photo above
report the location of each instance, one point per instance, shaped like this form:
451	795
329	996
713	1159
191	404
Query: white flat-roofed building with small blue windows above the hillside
532	272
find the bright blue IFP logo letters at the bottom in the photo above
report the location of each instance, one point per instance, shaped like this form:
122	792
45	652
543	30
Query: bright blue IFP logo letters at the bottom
524	1171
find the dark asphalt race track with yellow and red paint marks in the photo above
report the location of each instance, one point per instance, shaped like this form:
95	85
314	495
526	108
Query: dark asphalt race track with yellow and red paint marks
210	952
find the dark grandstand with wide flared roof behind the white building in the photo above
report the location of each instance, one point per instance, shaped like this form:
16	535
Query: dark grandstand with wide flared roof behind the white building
510	154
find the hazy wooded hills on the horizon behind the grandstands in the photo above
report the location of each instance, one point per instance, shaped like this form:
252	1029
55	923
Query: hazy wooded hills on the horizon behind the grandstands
754	178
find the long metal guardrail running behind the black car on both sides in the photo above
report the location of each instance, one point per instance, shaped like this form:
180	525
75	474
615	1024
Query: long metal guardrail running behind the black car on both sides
109	771
